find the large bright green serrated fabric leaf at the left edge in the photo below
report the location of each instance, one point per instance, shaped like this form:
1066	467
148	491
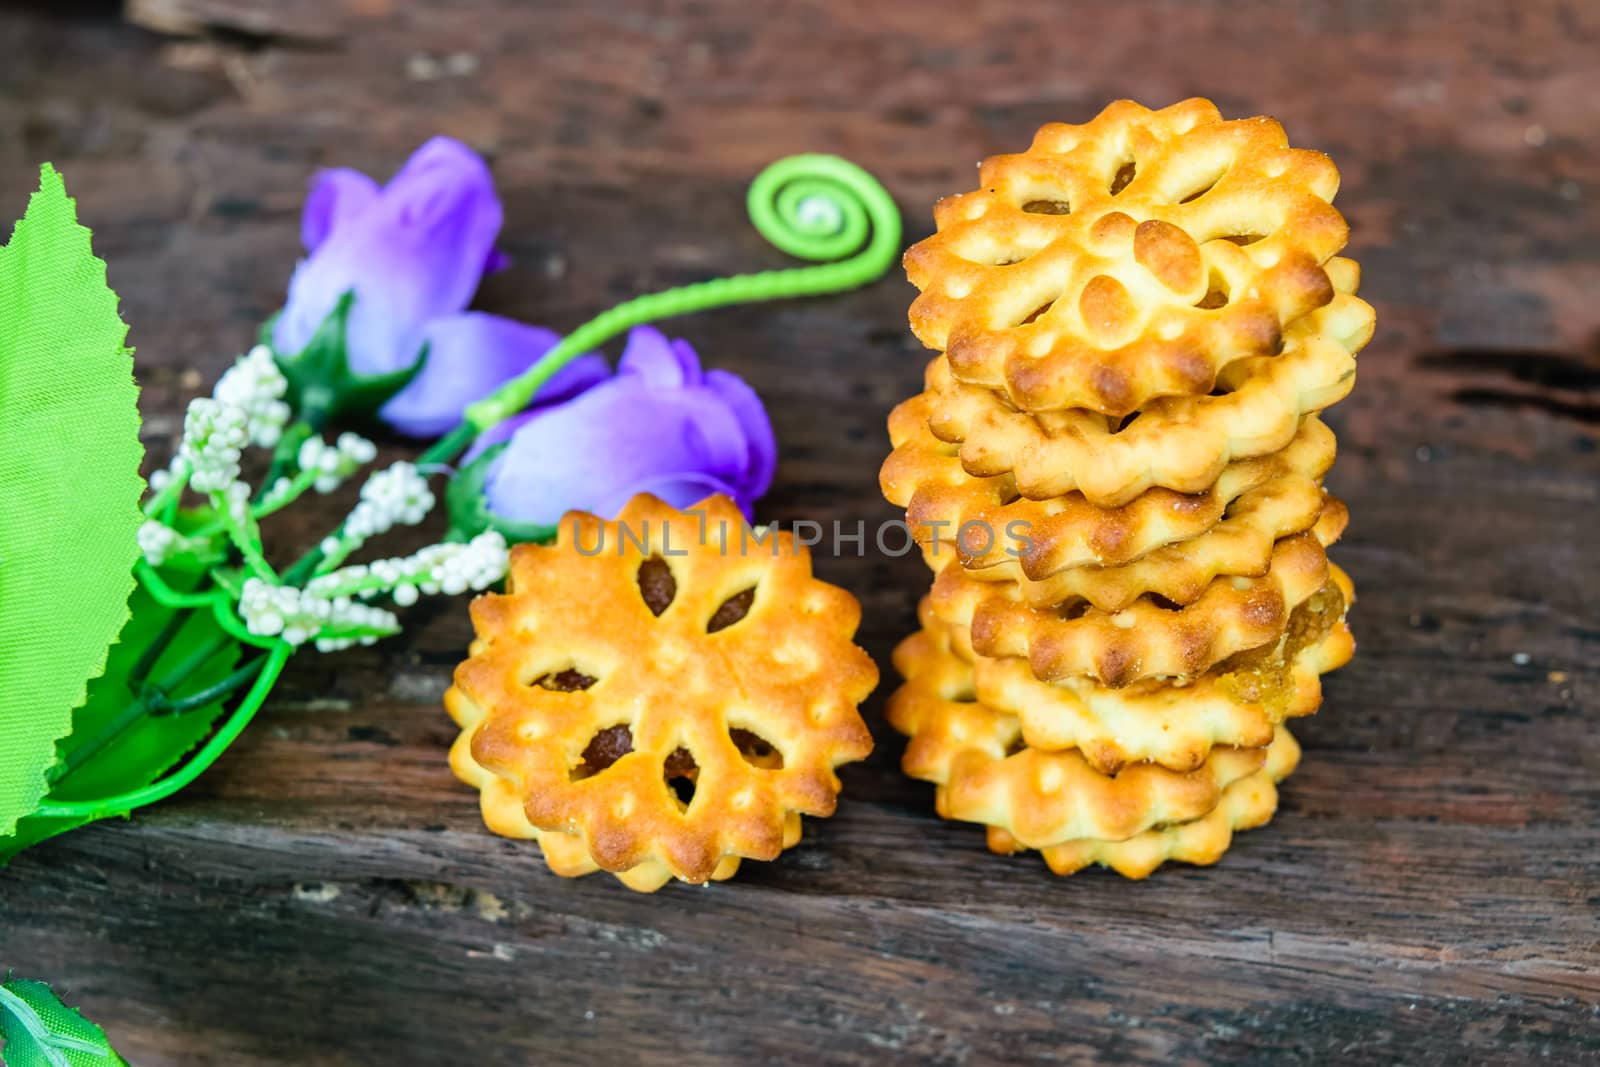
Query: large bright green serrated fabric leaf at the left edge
70	478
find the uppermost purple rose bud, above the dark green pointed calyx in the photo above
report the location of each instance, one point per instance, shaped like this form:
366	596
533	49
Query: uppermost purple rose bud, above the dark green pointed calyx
414	252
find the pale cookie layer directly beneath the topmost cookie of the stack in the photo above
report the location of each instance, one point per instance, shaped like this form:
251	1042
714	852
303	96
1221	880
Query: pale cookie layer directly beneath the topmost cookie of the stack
1178	442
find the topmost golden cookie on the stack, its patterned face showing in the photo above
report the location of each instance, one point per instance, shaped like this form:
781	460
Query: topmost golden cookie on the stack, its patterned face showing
1129	258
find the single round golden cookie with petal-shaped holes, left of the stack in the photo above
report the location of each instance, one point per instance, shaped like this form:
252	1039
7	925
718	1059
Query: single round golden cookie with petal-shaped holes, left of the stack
668	690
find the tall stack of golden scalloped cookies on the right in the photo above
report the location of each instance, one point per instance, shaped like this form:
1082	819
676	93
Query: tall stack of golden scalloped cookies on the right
1116	471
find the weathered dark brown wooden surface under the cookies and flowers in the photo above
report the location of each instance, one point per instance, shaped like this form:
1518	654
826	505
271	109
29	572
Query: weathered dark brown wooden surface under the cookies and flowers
1431	887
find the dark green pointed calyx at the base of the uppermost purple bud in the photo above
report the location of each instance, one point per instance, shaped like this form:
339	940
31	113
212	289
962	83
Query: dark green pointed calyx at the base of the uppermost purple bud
322	386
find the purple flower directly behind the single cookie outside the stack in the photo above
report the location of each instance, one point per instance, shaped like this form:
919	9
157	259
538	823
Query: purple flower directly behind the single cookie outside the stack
662	426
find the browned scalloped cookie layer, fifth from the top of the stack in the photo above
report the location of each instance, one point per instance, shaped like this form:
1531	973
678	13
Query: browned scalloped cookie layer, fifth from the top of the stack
1150	639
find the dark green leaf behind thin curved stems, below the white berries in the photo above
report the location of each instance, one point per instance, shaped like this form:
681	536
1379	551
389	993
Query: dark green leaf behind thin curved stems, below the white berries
154	743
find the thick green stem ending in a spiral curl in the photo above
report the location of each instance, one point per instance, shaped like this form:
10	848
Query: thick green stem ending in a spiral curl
812	207
